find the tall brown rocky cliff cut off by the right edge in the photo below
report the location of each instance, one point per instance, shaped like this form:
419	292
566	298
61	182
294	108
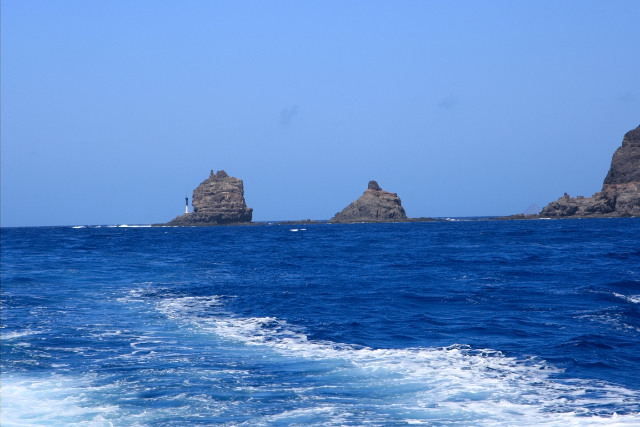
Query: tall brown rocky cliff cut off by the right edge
620	195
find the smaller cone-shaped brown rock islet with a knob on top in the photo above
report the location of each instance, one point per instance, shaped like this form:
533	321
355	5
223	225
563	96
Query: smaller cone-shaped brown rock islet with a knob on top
375	205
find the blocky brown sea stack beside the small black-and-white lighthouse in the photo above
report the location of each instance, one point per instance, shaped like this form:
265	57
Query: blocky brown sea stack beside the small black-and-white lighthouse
218	200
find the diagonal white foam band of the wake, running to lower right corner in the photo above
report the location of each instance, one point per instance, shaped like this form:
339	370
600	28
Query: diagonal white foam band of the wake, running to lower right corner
483	387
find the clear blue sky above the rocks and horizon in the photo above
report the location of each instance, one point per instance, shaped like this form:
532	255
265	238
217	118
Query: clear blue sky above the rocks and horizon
113	111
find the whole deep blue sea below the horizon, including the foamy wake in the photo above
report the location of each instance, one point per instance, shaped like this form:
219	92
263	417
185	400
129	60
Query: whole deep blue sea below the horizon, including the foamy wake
477	323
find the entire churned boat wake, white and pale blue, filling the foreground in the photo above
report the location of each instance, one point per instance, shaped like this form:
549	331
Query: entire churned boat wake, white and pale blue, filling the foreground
199	362
